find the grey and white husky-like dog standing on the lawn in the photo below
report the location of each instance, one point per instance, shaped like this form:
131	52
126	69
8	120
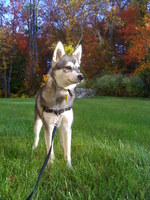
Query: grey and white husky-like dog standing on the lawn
55	100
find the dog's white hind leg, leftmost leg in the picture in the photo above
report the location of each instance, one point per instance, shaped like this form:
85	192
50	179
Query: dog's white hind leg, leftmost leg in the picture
37	127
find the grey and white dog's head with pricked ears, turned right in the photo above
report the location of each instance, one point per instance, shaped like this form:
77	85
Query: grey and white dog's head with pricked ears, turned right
66	69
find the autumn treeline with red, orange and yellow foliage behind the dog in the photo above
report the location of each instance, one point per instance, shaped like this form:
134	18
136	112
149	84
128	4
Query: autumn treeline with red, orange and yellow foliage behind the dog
116	39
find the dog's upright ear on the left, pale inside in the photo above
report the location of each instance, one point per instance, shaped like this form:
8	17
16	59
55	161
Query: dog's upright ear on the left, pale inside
58	53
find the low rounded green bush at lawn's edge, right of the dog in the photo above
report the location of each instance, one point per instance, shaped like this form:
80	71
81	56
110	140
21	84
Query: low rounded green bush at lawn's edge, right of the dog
119	85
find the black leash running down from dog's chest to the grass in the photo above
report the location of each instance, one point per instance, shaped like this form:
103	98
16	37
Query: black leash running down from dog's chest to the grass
44	164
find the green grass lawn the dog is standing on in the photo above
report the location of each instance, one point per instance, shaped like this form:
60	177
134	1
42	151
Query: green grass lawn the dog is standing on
110	152
